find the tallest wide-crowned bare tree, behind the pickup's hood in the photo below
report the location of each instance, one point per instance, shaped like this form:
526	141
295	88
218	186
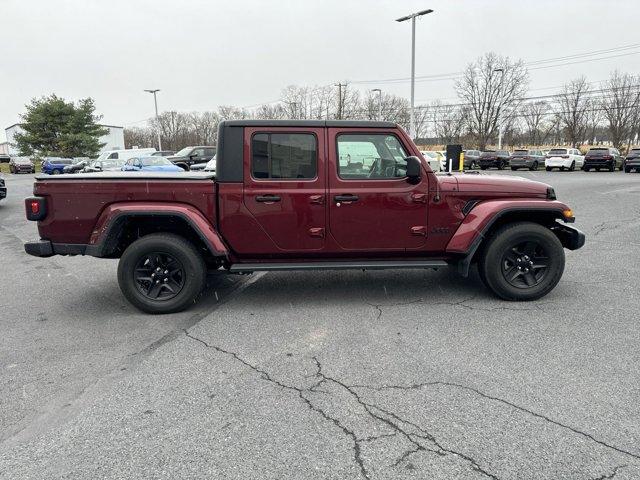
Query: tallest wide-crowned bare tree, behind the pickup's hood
489	86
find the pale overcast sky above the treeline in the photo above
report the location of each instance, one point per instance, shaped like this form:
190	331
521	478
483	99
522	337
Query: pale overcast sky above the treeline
205	53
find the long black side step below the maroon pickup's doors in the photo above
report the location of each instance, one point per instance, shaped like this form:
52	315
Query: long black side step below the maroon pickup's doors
352	265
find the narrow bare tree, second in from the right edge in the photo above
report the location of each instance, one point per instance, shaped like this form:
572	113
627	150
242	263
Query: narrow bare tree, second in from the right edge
574	103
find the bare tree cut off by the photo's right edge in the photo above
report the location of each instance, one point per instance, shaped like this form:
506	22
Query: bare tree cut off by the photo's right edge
620	105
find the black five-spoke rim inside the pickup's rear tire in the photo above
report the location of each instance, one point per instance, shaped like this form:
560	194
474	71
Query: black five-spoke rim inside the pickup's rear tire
159	276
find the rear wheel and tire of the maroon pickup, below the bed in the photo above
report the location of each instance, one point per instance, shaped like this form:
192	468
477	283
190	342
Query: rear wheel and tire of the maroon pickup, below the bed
161	273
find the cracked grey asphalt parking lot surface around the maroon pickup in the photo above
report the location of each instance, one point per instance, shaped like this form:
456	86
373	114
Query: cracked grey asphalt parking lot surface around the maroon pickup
373	375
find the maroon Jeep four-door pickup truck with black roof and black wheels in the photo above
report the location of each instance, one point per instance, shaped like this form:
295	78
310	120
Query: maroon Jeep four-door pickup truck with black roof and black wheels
304	195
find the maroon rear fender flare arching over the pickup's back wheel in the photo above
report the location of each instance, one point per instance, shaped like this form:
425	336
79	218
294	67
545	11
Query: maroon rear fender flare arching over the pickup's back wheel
107	224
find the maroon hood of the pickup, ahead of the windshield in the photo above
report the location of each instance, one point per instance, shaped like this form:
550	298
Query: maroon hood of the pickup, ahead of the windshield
471	183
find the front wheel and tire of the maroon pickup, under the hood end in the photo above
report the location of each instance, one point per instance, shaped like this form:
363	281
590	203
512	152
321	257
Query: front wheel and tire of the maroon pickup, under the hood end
522	261
